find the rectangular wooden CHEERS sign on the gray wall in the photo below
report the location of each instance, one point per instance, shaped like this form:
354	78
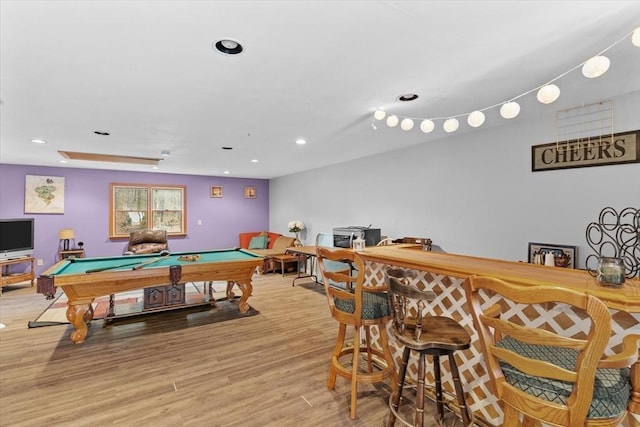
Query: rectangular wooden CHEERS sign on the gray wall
595	151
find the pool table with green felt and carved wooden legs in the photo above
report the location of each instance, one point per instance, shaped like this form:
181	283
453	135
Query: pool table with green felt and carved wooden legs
84	279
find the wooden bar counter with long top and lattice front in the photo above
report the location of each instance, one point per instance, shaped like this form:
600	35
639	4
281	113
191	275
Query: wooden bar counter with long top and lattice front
445	274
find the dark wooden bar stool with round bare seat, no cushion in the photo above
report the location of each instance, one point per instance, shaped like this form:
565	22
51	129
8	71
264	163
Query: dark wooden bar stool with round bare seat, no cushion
427	335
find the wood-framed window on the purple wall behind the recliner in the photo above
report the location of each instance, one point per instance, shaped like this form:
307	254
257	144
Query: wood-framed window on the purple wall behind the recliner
139	206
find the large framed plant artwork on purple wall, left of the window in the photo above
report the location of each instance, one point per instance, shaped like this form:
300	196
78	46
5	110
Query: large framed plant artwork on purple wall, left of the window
44	194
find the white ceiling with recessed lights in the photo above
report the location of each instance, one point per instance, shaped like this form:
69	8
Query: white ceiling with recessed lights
146	72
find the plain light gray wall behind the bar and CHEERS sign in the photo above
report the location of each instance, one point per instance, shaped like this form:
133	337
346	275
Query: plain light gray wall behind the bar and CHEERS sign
471	193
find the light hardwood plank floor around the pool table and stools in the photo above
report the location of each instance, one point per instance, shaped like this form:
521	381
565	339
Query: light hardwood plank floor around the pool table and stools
182	368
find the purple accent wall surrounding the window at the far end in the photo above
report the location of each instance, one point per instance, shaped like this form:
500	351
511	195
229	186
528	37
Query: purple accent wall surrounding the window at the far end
86	209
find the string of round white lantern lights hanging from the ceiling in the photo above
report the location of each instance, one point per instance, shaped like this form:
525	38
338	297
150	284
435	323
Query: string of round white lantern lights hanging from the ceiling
547	93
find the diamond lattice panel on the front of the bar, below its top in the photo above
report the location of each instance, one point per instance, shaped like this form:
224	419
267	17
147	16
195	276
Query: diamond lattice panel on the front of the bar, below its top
450	301
